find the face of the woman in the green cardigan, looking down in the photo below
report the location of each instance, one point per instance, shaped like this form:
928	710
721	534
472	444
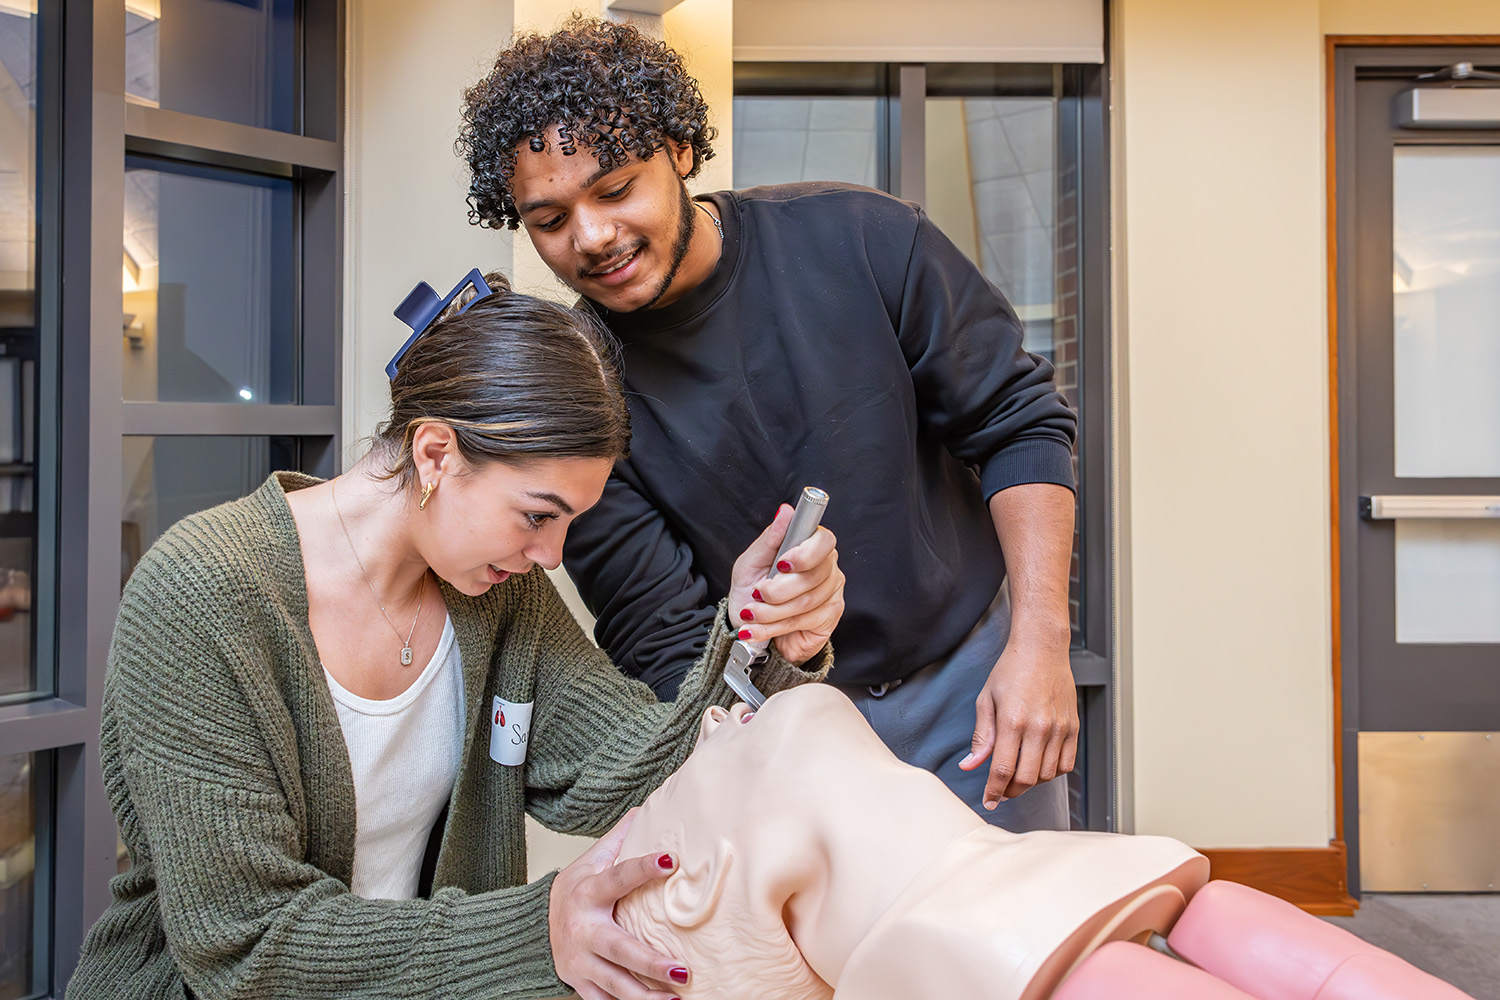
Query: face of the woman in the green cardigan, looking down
490	522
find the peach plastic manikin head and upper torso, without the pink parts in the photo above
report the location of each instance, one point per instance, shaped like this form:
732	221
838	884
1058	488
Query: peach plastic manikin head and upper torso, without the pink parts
812	863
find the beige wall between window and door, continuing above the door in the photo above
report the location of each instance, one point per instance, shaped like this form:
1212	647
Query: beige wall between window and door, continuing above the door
1222	325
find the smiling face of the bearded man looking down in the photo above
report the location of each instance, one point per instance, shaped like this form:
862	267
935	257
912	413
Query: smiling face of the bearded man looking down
622	238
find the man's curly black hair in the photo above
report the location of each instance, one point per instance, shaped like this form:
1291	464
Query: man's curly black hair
607	86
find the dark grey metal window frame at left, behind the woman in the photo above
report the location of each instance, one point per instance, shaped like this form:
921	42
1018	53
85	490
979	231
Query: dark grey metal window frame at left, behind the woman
85	133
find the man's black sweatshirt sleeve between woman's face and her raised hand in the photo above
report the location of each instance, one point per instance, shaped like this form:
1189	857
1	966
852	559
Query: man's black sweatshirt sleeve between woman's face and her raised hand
653	609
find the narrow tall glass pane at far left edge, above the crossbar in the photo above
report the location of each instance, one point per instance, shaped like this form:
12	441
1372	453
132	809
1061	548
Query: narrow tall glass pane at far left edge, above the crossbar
19	349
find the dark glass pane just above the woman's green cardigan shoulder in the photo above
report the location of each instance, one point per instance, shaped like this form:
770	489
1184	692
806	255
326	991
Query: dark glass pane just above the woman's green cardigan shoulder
167	479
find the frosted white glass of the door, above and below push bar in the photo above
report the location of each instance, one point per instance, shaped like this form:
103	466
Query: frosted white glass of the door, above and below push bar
1447	370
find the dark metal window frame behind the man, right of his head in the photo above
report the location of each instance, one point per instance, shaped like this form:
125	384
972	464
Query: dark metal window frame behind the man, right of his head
902	167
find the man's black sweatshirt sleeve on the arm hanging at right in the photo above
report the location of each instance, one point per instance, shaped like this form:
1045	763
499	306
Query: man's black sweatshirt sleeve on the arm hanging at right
992	404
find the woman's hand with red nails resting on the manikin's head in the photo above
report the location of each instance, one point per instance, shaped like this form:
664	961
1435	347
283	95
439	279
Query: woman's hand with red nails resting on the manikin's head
592	953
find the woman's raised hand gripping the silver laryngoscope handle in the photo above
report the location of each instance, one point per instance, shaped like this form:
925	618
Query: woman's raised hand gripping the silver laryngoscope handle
799	606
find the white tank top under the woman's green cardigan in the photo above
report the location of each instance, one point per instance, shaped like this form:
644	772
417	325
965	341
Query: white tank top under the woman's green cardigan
406	755
